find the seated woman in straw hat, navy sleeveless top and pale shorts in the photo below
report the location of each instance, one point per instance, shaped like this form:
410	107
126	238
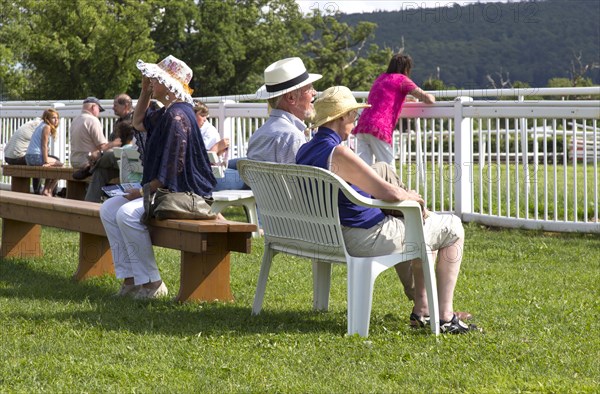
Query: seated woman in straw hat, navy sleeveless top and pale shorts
369	231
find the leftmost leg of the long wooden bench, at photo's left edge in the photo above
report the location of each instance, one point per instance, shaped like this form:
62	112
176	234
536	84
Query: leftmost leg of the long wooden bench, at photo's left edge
20	239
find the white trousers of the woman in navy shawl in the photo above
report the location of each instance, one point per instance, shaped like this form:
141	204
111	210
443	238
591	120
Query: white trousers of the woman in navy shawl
129	240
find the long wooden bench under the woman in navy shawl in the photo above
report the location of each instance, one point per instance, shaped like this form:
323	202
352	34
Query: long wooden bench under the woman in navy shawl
205	245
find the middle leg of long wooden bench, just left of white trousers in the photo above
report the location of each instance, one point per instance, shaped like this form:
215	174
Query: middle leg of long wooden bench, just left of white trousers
95	258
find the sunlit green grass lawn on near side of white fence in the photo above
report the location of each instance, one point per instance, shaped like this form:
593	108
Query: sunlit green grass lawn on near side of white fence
535	294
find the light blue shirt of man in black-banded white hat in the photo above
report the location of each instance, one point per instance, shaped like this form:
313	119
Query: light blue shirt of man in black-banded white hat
278	140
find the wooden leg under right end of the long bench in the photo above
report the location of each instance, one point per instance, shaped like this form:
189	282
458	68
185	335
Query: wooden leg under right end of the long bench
205	276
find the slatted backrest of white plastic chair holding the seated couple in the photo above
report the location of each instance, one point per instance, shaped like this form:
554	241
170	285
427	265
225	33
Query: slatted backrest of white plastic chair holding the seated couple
298	207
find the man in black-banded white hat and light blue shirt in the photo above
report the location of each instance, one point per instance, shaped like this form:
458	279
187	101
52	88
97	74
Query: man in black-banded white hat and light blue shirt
289	91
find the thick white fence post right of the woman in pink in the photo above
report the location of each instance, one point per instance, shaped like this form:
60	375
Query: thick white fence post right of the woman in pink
463	153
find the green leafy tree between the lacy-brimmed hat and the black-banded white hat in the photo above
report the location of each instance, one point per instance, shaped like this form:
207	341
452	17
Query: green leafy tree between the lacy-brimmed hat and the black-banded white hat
234	41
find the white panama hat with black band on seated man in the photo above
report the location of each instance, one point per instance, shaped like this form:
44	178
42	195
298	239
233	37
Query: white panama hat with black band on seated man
284	76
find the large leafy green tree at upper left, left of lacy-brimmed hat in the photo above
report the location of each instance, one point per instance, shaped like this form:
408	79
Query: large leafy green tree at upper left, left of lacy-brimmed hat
76	48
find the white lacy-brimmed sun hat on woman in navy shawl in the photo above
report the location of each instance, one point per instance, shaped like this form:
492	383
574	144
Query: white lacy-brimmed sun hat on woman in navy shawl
171	72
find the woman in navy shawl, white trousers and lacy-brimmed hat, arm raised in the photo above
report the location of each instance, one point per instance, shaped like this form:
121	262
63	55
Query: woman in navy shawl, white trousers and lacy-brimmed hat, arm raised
175	158
